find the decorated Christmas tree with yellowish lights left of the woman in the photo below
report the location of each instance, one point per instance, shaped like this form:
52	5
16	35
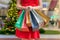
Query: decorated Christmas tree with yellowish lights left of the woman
9	27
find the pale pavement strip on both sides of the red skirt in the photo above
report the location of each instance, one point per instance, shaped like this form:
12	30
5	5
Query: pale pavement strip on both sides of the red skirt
43	37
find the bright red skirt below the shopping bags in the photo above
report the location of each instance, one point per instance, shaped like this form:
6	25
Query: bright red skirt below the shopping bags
27	35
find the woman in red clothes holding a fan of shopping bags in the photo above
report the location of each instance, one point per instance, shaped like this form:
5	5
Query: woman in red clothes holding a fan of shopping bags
32	4
